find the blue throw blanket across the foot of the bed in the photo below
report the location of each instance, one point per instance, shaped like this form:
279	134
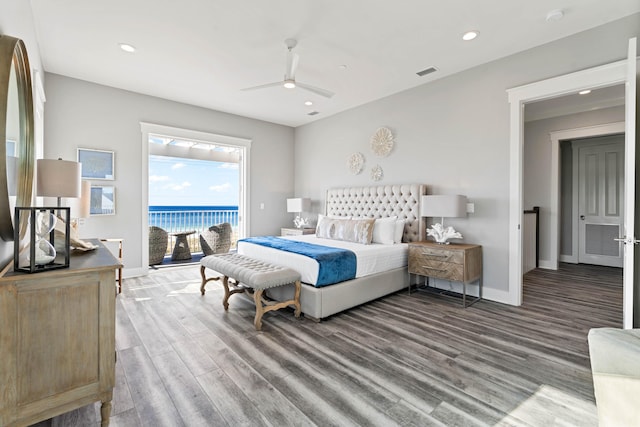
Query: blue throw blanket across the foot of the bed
336	265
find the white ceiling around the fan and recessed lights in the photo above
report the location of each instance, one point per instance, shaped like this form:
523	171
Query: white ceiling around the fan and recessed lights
203	52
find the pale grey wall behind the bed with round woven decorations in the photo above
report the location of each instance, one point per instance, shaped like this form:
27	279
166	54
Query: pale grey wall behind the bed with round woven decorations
452	134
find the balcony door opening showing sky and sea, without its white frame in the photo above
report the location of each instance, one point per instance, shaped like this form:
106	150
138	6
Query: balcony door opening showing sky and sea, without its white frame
188	195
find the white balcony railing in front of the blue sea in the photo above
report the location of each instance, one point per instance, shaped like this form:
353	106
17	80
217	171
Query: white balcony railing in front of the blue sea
175	221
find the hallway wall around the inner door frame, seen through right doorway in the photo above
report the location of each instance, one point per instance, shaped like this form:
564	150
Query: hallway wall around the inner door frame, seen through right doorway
537	161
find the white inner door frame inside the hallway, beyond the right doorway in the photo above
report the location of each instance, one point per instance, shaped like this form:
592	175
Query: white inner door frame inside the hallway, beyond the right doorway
554	206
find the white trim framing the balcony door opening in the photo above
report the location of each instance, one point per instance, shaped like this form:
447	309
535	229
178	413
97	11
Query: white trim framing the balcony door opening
243	143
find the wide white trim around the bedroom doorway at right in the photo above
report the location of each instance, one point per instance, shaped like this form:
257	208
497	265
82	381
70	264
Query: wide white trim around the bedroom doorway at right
602	76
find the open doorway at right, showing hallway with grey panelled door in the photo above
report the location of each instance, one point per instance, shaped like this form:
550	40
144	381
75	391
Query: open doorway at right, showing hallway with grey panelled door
555	143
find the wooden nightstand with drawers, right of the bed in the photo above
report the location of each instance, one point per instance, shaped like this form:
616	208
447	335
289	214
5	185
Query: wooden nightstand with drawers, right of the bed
456	262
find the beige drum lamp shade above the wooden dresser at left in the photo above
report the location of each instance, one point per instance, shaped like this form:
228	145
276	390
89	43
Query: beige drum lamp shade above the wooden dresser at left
58	178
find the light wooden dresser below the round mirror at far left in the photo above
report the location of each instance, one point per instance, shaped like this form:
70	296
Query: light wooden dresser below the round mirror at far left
57	339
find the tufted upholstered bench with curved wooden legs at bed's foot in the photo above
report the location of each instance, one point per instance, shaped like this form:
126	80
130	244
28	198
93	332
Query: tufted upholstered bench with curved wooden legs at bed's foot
254	277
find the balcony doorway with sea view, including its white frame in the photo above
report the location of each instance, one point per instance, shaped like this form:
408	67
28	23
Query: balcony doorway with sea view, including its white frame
192	180
